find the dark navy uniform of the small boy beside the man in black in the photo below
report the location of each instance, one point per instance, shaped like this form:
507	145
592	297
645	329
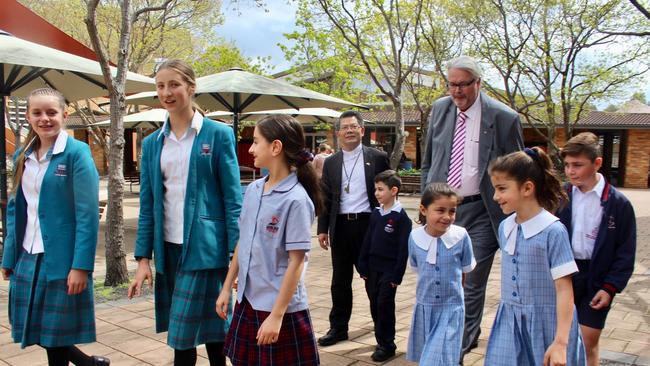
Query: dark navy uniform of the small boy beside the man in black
382	261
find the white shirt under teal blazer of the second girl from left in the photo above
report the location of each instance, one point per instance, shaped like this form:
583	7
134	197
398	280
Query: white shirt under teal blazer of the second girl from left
175	166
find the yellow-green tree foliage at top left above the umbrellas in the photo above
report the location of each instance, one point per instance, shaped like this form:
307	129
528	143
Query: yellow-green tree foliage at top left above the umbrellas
181	31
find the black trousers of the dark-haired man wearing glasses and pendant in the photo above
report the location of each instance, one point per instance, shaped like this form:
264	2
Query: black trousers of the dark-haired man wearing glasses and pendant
345	253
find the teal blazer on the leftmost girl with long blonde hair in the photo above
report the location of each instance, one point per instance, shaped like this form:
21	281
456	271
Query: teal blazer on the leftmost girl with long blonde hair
68	210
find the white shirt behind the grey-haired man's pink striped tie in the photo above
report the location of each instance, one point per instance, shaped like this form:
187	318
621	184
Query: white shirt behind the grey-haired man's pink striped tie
470	179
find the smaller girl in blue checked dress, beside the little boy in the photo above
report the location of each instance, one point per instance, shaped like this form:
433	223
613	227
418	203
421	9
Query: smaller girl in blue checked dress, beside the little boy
441	254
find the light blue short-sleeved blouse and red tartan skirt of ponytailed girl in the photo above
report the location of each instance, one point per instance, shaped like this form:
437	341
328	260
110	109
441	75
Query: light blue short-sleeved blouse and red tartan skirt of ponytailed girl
272	224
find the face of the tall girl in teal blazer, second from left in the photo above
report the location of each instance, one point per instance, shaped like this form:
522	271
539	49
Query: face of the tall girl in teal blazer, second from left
174	93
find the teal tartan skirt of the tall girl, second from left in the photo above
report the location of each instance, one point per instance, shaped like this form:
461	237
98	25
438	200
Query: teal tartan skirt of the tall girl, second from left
185	303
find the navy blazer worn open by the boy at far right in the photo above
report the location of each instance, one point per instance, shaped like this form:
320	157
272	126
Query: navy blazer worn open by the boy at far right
612	261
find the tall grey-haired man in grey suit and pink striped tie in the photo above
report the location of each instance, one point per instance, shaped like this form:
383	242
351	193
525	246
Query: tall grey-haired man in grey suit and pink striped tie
468	129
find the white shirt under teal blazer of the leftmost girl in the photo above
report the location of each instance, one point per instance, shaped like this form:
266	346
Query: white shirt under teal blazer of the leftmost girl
31	183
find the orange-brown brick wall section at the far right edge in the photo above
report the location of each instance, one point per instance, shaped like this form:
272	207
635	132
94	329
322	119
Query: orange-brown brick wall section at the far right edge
637	159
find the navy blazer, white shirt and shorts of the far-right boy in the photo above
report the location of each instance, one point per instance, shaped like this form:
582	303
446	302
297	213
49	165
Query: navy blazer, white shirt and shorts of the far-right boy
604	244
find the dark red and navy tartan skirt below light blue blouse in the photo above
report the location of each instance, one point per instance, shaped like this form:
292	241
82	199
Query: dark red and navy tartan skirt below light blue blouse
296	343
